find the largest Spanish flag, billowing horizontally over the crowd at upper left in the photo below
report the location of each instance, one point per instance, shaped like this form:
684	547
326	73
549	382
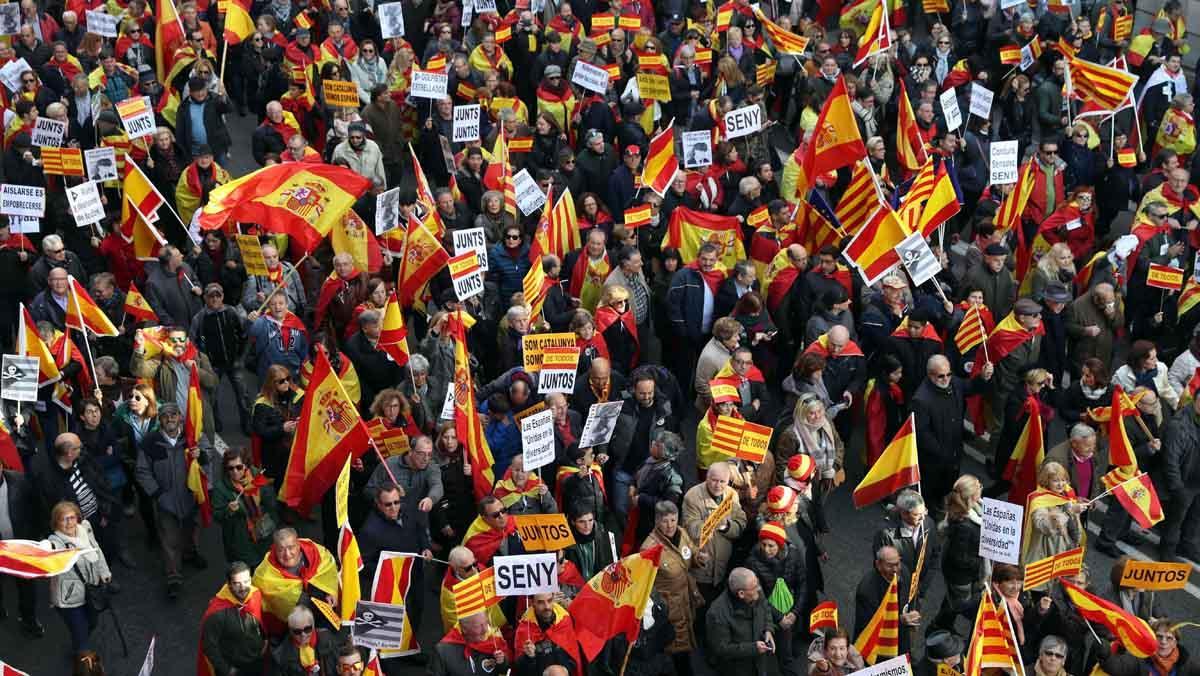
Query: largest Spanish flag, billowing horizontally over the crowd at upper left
299	199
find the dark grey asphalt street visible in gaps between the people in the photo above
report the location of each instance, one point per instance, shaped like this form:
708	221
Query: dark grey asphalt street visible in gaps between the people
146	613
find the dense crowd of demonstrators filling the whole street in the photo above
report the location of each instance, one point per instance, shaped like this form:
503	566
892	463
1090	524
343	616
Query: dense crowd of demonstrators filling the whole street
778	327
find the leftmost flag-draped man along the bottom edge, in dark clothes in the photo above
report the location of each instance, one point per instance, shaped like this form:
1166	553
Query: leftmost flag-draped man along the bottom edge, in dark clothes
232	636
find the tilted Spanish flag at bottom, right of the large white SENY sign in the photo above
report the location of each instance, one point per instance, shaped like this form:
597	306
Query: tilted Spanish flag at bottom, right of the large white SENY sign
614	600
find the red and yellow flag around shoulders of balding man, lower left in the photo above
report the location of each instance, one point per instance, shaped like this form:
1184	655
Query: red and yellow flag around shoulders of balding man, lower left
281	589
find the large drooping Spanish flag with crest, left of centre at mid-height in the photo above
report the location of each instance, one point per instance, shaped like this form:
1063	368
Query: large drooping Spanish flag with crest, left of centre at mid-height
329	432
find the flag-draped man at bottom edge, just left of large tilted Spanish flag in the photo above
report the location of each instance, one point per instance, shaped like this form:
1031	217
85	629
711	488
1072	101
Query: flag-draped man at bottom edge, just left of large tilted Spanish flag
547	637
